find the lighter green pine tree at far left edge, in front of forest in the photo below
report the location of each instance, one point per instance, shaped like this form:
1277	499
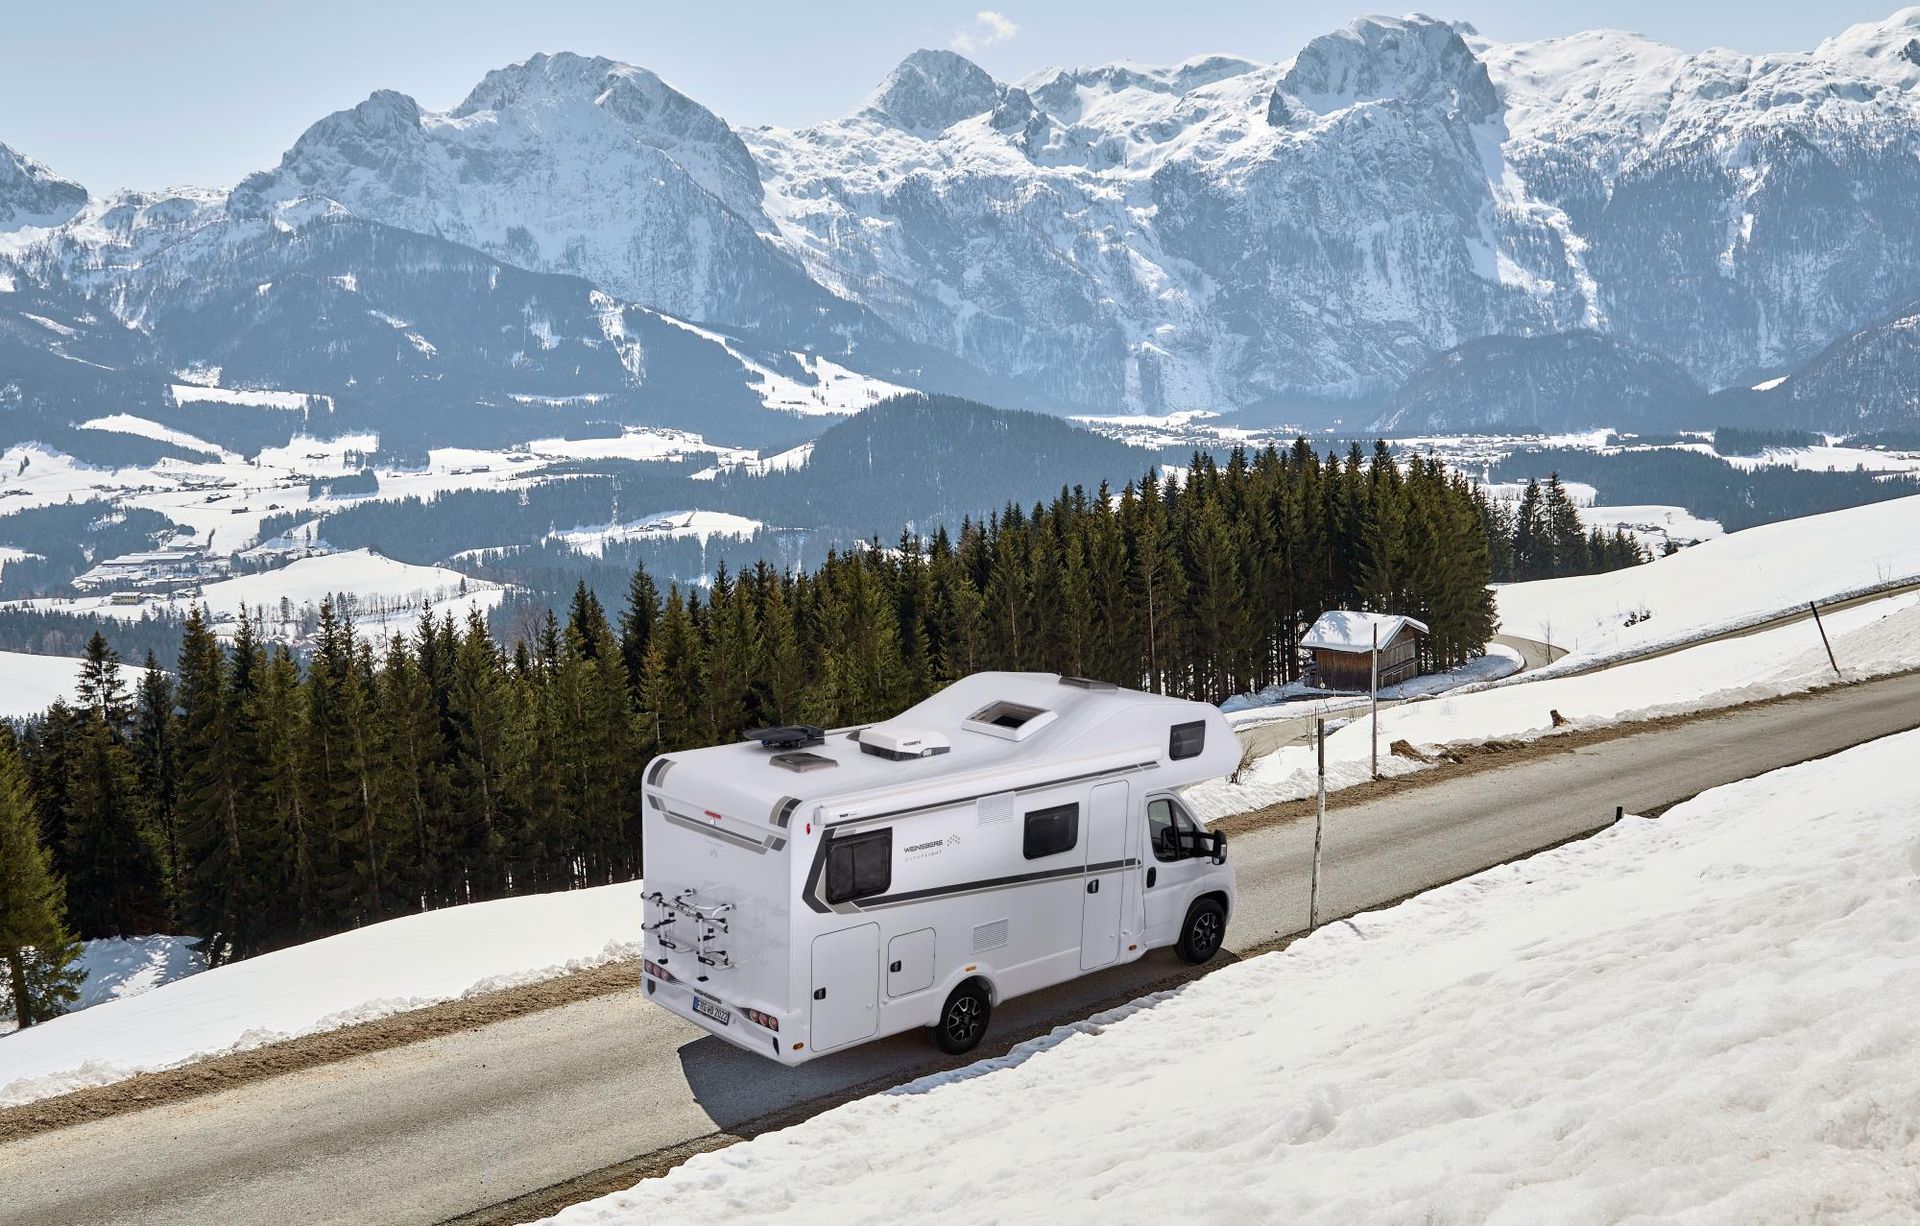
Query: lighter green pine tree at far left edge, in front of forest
36	945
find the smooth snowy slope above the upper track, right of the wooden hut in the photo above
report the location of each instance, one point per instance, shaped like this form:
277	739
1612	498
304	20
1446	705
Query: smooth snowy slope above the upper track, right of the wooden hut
1721	582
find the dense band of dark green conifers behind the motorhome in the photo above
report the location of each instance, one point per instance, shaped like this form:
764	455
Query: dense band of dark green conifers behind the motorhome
260	801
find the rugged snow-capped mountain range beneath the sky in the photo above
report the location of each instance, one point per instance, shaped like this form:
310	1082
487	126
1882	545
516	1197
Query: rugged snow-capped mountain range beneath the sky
1214	235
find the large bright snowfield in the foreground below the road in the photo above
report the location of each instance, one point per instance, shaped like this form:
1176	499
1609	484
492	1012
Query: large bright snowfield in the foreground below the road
1704	1018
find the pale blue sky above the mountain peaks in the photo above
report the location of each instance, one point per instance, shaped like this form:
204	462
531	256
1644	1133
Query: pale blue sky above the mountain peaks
145	95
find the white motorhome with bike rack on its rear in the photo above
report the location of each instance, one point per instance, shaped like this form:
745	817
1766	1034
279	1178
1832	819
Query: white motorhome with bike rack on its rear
811	891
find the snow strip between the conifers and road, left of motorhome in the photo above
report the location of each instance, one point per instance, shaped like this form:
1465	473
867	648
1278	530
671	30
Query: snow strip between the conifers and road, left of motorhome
362	976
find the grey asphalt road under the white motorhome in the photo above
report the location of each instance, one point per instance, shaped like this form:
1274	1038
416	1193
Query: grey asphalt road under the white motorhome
452	1125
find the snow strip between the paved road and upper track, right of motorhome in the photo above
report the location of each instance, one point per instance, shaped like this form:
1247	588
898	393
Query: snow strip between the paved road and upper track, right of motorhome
1873	640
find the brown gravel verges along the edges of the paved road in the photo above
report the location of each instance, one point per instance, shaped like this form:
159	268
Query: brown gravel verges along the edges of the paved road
469	1014
